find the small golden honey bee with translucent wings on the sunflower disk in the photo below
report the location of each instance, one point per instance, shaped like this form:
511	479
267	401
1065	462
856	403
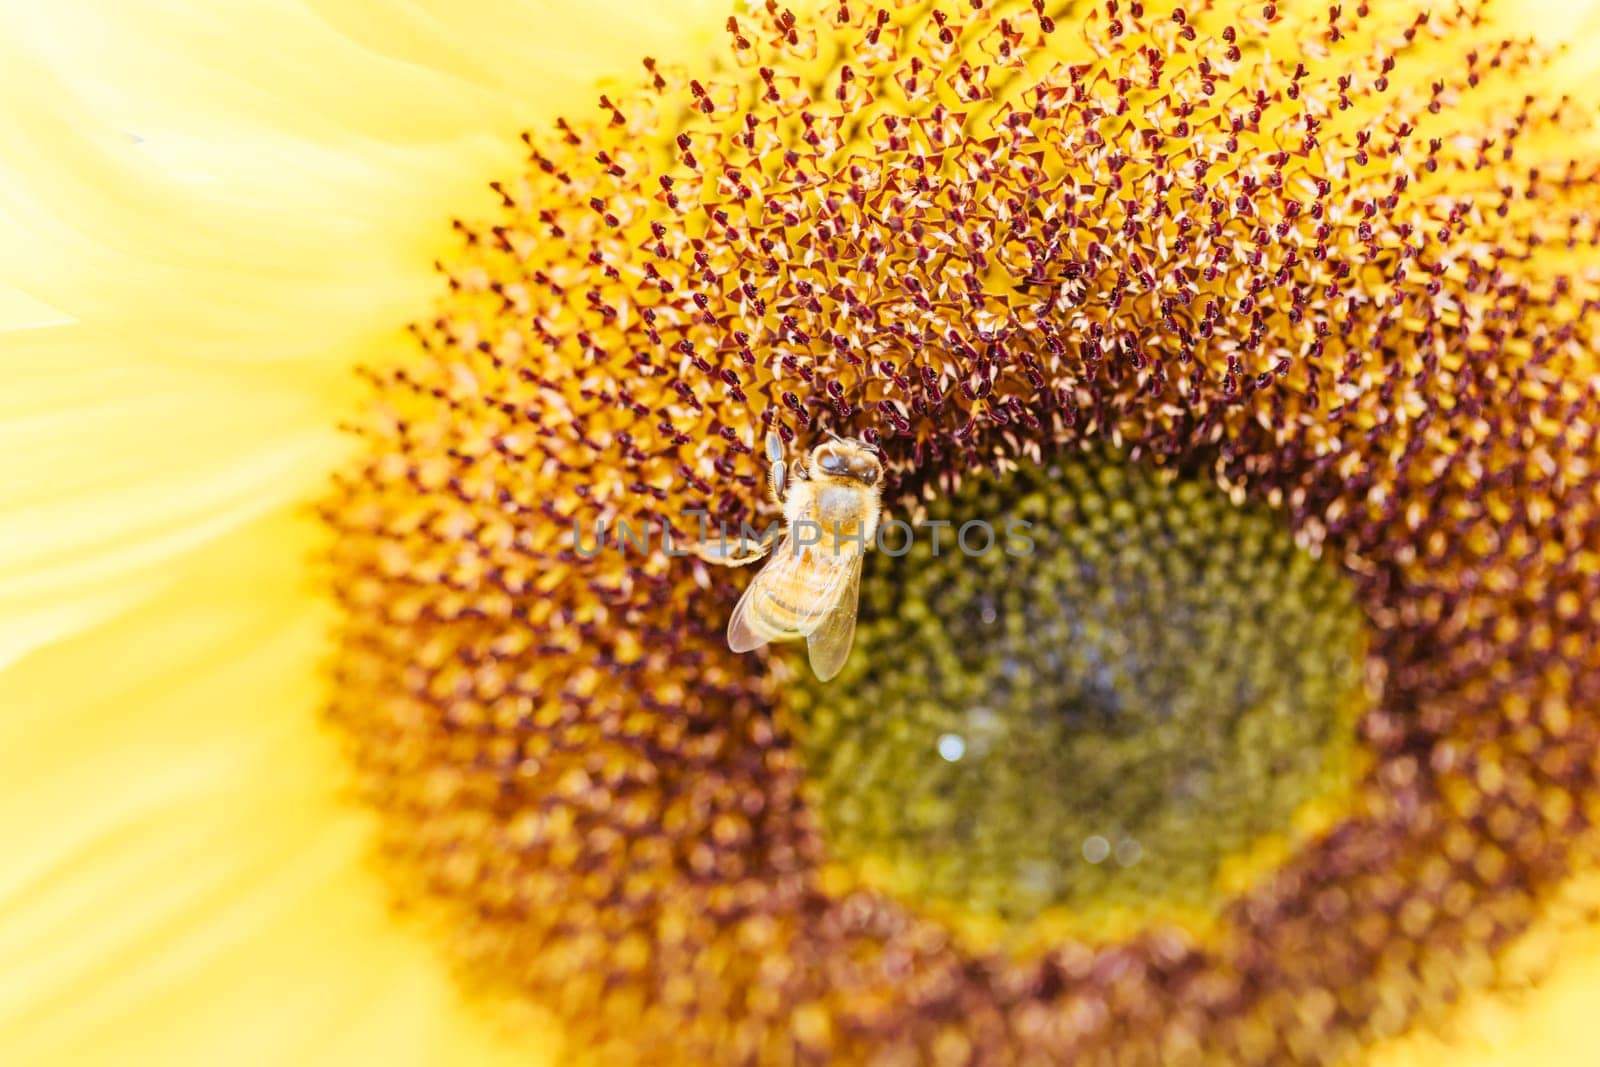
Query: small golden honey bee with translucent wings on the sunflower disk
814	575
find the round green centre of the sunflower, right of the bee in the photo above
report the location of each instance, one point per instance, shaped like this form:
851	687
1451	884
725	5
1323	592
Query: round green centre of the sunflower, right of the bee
1113	721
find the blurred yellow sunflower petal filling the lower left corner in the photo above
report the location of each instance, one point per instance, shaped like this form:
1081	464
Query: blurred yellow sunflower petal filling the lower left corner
182	882
